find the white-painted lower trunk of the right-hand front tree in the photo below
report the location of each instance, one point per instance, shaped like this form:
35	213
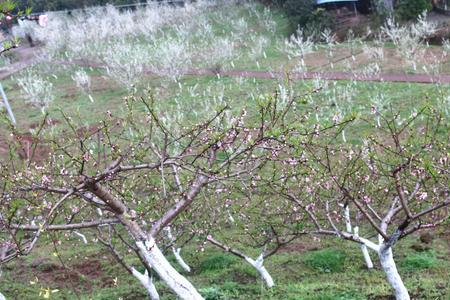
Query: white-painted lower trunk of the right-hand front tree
389	267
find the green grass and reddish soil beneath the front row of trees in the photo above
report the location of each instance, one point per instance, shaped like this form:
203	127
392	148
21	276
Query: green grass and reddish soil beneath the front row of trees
297	274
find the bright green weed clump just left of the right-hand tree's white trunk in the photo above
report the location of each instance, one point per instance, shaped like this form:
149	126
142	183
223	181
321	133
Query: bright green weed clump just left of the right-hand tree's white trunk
327	260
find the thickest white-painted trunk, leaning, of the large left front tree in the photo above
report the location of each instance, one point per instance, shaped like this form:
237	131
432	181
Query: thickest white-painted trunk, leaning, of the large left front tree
178	283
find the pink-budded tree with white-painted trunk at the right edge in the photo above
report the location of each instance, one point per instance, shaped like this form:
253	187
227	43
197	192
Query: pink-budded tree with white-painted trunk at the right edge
396	180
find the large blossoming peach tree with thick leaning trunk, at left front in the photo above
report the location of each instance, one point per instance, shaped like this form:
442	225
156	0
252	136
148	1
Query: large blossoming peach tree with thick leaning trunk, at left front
130	178
